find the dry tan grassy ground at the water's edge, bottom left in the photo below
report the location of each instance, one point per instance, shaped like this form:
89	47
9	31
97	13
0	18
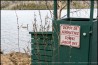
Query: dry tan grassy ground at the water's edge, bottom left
15	58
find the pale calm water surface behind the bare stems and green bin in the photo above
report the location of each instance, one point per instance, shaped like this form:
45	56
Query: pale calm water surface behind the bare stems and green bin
9	31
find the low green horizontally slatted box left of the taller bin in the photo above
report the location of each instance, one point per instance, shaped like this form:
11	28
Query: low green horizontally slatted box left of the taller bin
42	48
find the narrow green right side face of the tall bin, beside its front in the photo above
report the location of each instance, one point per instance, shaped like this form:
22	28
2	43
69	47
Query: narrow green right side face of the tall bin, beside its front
93	56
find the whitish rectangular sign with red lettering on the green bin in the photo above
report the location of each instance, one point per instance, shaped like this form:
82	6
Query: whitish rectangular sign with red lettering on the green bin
70	35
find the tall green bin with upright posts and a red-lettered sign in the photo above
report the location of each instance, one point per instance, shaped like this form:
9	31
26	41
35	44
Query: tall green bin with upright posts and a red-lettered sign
75	39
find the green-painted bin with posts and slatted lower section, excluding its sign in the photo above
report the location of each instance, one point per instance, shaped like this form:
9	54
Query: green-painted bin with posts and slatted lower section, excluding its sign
46	48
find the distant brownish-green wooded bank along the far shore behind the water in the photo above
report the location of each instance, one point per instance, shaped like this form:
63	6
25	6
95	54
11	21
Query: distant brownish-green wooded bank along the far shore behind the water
35	5
